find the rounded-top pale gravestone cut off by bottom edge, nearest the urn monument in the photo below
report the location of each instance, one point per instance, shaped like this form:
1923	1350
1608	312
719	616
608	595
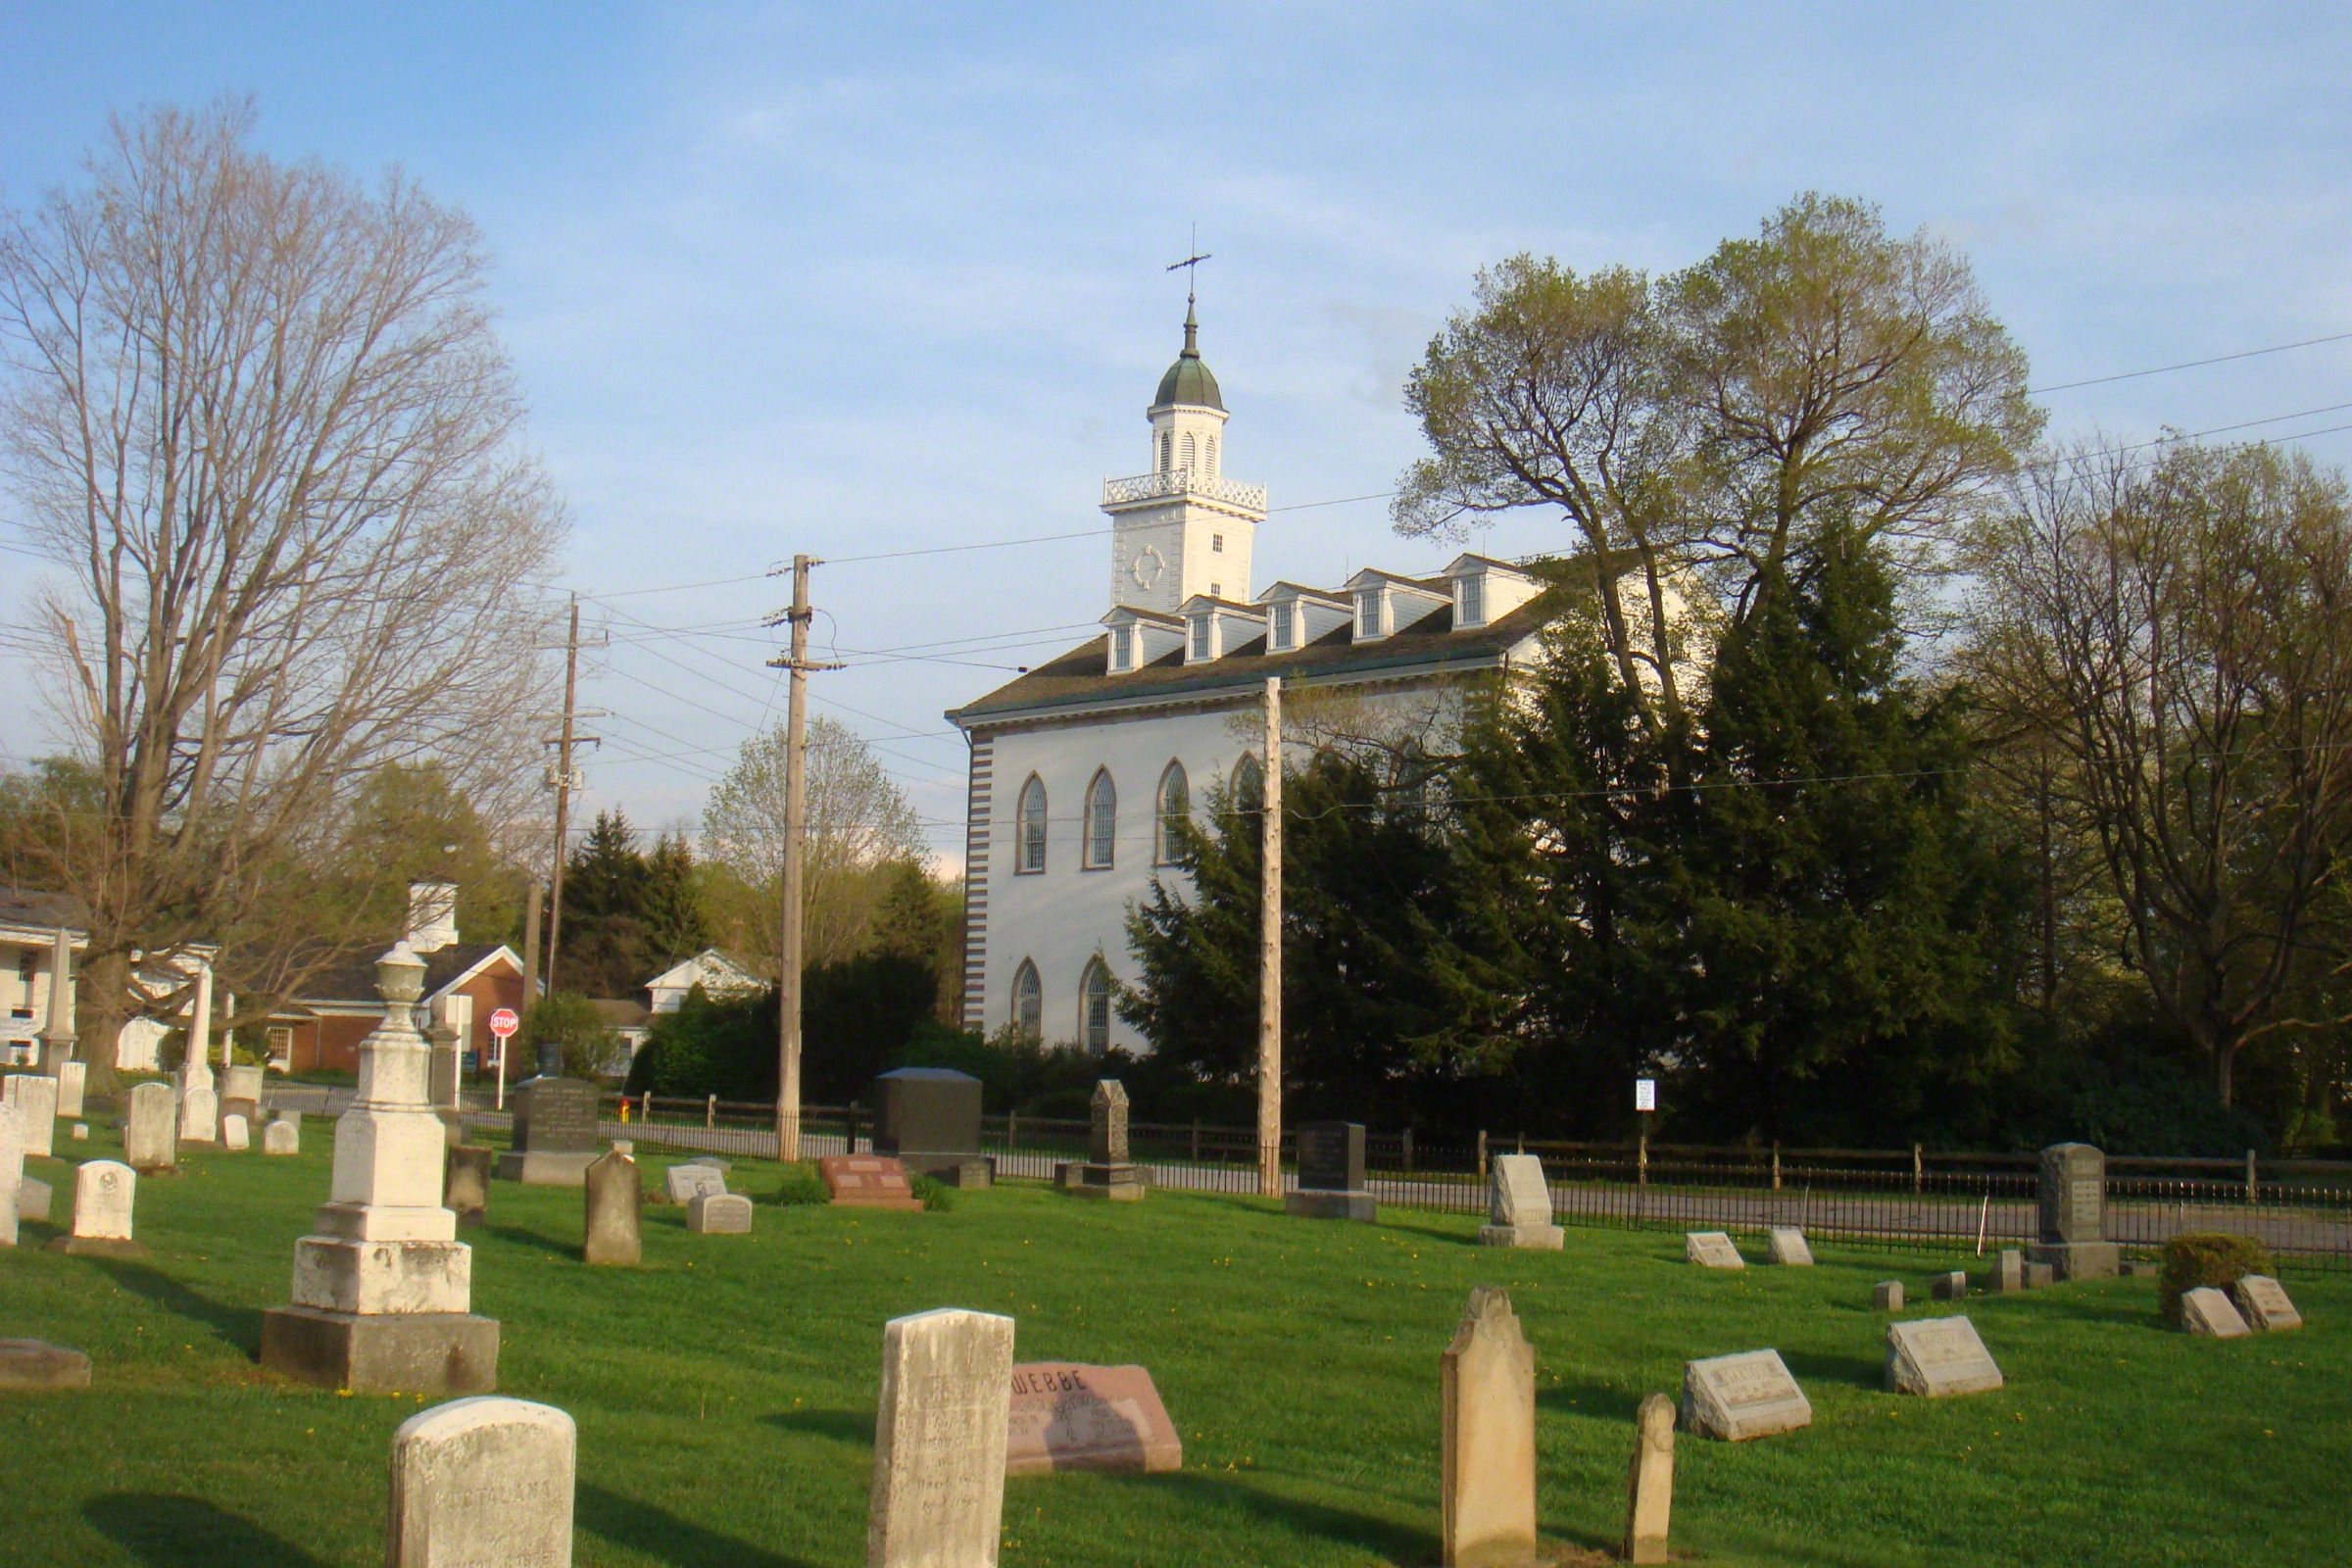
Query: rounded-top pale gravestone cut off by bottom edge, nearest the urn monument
483	1485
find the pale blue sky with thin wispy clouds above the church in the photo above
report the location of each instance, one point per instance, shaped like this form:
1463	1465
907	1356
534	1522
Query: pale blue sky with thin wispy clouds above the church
869	279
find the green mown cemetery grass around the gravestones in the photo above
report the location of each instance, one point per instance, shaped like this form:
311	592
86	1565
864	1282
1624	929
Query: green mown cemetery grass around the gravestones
726	1391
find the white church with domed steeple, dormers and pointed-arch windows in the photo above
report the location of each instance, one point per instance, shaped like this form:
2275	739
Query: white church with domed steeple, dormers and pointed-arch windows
1078	765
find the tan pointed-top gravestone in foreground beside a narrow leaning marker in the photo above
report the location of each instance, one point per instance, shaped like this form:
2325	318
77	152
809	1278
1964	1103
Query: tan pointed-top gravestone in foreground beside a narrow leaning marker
1490	1440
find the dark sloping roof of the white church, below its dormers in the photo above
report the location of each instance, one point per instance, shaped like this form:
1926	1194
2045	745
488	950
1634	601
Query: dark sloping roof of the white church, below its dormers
1426	648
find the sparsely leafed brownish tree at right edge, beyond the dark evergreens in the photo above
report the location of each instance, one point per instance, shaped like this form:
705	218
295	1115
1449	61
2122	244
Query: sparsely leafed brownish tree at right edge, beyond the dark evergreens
2184	636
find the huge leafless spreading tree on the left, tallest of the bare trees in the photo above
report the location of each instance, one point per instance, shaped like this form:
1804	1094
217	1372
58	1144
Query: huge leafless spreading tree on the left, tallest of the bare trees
260	420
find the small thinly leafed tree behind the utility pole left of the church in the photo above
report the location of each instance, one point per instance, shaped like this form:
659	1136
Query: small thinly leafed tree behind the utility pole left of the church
860	824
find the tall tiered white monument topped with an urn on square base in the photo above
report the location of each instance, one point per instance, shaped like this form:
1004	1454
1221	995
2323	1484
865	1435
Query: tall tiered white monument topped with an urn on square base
382	1289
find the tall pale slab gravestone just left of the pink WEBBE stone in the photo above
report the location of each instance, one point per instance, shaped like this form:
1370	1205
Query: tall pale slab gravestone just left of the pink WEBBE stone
942	1426
